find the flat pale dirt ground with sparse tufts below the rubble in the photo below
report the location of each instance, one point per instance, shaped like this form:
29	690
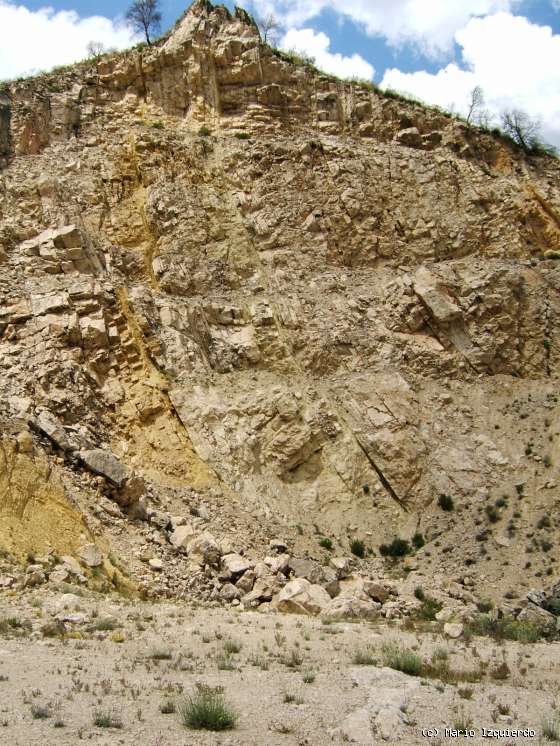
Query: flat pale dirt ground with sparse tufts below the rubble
291	679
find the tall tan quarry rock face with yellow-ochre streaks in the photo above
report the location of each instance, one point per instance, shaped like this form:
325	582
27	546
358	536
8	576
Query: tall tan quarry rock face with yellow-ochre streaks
283	301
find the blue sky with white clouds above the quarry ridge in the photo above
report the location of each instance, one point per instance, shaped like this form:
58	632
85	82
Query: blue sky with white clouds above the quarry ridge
437	50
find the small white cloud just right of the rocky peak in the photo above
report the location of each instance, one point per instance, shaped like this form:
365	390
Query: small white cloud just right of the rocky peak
317	45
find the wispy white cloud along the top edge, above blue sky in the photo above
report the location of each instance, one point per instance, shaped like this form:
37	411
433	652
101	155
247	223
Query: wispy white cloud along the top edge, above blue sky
429	24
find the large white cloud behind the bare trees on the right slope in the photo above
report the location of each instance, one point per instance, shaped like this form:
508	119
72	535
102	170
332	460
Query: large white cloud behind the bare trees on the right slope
515	61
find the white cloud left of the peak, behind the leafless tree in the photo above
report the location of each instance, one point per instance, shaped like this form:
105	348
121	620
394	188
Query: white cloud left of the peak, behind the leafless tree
37	40
